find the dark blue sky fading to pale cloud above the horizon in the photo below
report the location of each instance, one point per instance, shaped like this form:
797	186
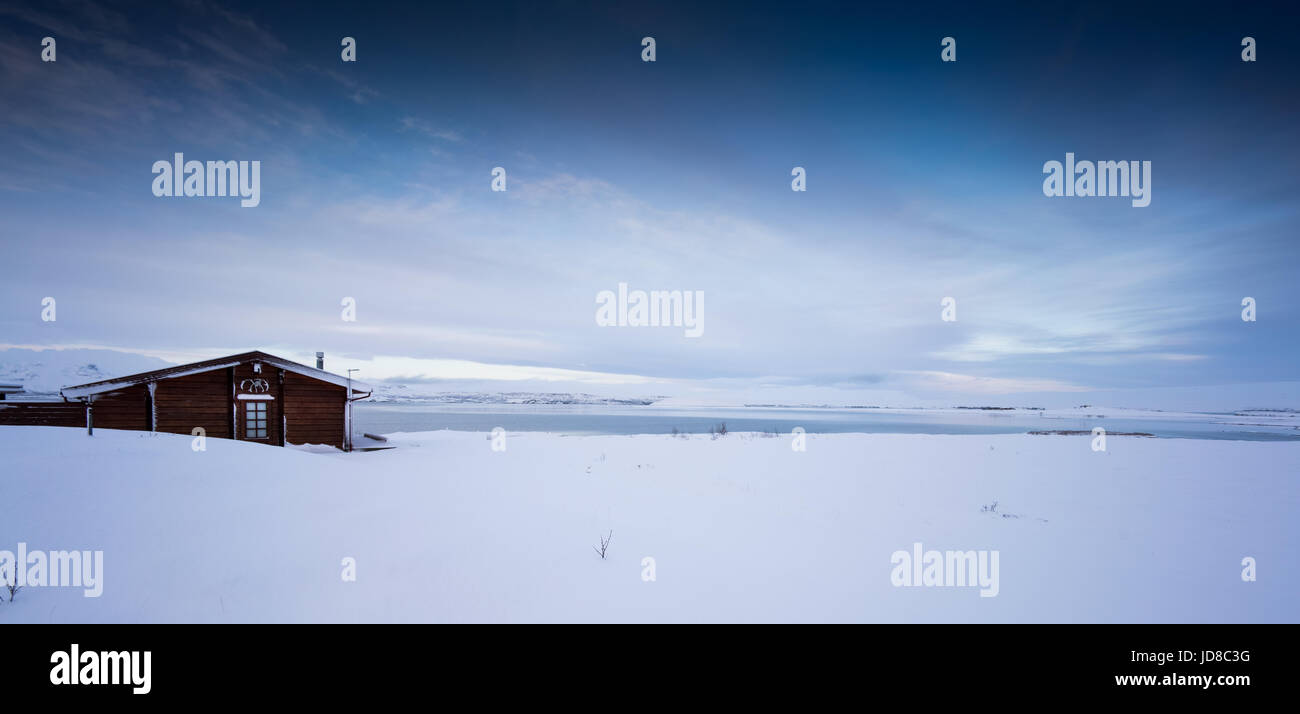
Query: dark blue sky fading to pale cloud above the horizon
925	181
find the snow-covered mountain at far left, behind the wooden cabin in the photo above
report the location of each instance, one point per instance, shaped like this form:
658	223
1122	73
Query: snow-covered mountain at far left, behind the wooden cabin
45	373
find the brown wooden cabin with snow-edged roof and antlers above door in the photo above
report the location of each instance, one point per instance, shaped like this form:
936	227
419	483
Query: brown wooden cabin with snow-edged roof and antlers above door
249	397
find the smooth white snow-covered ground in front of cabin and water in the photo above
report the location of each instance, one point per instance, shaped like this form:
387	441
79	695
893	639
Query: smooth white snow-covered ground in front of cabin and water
740	527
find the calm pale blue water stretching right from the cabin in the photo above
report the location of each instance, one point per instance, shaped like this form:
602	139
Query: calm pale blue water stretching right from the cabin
382	419
